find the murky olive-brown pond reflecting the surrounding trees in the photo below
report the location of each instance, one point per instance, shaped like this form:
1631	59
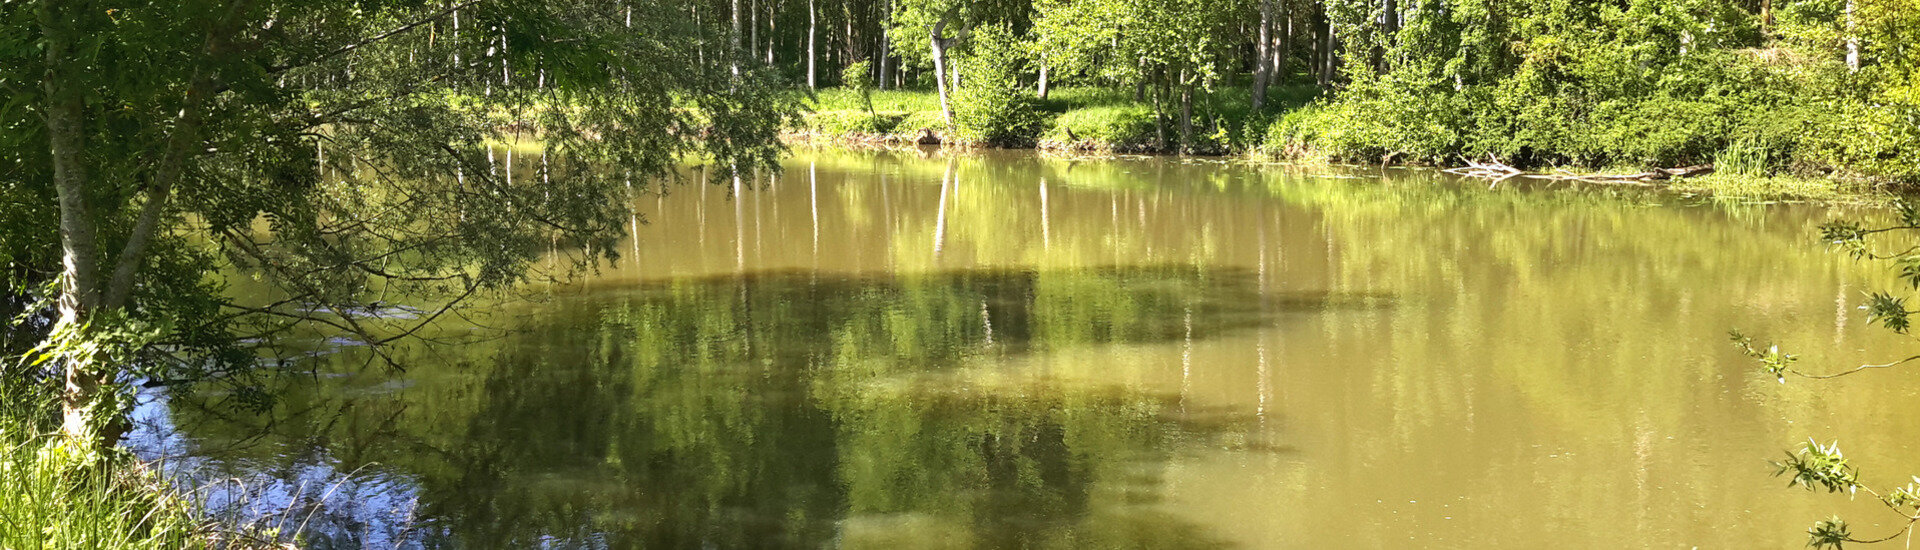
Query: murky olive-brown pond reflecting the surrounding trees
1013	351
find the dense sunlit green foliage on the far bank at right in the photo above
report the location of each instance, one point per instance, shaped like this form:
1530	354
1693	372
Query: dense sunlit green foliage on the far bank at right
1637	84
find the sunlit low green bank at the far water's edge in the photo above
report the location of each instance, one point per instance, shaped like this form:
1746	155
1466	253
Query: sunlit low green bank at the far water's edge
1105	122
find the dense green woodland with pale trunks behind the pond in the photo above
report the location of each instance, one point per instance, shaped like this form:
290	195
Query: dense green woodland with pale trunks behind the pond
1760	87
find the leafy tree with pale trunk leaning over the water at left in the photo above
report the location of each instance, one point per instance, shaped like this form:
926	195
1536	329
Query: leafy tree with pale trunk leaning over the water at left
339	151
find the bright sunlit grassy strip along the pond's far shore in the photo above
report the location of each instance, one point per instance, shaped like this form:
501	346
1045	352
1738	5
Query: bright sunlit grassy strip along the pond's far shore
1297	126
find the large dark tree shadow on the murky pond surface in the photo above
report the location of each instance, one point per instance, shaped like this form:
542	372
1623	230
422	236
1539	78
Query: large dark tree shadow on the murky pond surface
767	411
